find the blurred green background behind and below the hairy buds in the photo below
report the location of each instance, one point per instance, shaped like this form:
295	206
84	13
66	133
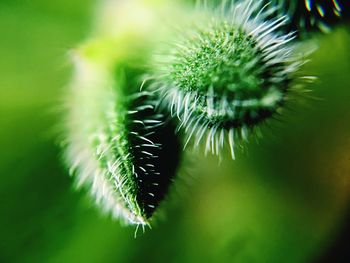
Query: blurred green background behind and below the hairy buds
285	199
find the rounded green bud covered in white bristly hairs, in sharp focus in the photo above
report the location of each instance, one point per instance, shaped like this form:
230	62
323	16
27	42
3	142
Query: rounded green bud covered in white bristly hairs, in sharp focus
228	74
